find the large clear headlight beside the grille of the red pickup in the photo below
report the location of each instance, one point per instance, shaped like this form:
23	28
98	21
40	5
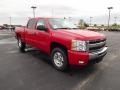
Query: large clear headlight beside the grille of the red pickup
78	45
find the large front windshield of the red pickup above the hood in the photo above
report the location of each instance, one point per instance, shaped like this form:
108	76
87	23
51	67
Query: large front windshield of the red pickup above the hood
59	23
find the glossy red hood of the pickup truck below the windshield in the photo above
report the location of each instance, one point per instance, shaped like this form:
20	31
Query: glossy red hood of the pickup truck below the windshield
82	34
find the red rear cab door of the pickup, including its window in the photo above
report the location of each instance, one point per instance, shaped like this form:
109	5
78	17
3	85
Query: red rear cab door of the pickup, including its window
30	32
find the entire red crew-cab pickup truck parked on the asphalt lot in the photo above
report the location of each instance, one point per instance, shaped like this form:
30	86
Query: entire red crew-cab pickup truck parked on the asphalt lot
63	41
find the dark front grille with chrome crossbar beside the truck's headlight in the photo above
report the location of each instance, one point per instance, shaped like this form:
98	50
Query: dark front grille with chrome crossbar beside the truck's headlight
96	45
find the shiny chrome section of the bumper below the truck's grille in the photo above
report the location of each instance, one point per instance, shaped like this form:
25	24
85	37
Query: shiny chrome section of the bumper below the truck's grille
98	54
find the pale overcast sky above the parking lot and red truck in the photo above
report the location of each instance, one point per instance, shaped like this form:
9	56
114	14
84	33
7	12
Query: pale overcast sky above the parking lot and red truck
20	10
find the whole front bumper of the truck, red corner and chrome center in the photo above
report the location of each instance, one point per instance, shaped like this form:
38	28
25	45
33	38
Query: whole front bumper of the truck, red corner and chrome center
83	58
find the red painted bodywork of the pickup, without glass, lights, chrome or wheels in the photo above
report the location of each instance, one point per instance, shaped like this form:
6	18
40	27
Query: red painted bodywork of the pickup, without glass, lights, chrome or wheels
42	40
